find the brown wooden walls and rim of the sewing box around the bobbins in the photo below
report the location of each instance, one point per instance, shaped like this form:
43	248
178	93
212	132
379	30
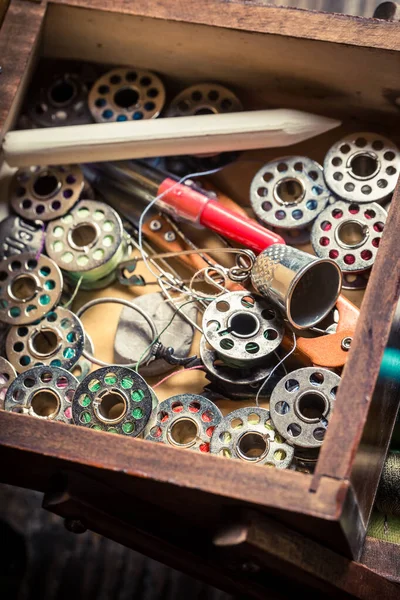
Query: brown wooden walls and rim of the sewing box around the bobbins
330	64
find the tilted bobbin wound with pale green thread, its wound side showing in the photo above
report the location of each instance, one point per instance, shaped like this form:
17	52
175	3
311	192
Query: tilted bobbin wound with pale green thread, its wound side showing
87	242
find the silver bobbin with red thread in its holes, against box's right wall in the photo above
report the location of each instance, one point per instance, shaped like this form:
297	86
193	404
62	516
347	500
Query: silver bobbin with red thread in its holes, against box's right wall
349	234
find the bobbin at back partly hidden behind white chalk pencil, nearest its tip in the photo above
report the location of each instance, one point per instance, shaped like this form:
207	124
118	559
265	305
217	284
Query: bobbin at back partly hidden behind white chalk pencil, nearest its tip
204	99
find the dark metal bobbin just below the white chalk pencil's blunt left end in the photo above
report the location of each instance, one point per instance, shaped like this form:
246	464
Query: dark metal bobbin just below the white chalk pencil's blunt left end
45	193
